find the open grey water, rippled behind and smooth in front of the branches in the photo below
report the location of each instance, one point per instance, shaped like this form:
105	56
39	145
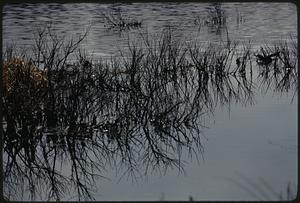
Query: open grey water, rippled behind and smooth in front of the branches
243	144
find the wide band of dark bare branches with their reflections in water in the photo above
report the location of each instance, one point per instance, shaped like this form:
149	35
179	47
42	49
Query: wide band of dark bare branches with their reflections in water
139	111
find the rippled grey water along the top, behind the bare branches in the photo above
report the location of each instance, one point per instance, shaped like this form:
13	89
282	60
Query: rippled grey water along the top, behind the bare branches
258	22
